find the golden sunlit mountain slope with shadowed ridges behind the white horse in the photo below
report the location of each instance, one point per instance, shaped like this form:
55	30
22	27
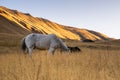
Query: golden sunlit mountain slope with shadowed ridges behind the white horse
13	21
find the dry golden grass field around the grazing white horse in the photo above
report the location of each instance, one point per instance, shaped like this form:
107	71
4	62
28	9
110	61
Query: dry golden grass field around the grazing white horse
97	61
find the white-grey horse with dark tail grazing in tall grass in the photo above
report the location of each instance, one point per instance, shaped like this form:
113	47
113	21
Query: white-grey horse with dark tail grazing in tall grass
41	41
